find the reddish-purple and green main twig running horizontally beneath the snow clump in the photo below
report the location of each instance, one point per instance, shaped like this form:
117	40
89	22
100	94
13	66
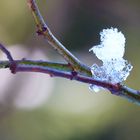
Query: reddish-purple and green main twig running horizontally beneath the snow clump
64	71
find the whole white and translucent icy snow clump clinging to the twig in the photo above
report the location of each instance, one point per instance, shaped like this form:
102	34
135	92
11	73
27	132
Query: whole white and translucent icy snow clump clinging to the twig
115	68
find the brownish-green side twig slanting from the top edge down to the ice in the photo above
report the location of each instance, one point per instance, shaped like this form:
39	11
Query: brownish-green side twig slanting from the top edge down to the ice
44	30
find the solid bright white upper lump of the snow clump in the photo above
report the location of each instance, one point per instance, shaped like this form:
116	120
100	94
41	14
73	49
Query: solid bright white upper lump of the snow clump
112	45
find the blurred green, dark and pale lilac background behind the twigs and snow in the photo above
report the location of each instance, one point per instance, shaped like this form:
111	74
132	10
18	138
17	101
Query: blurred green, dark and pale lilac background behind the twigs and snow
34	106
